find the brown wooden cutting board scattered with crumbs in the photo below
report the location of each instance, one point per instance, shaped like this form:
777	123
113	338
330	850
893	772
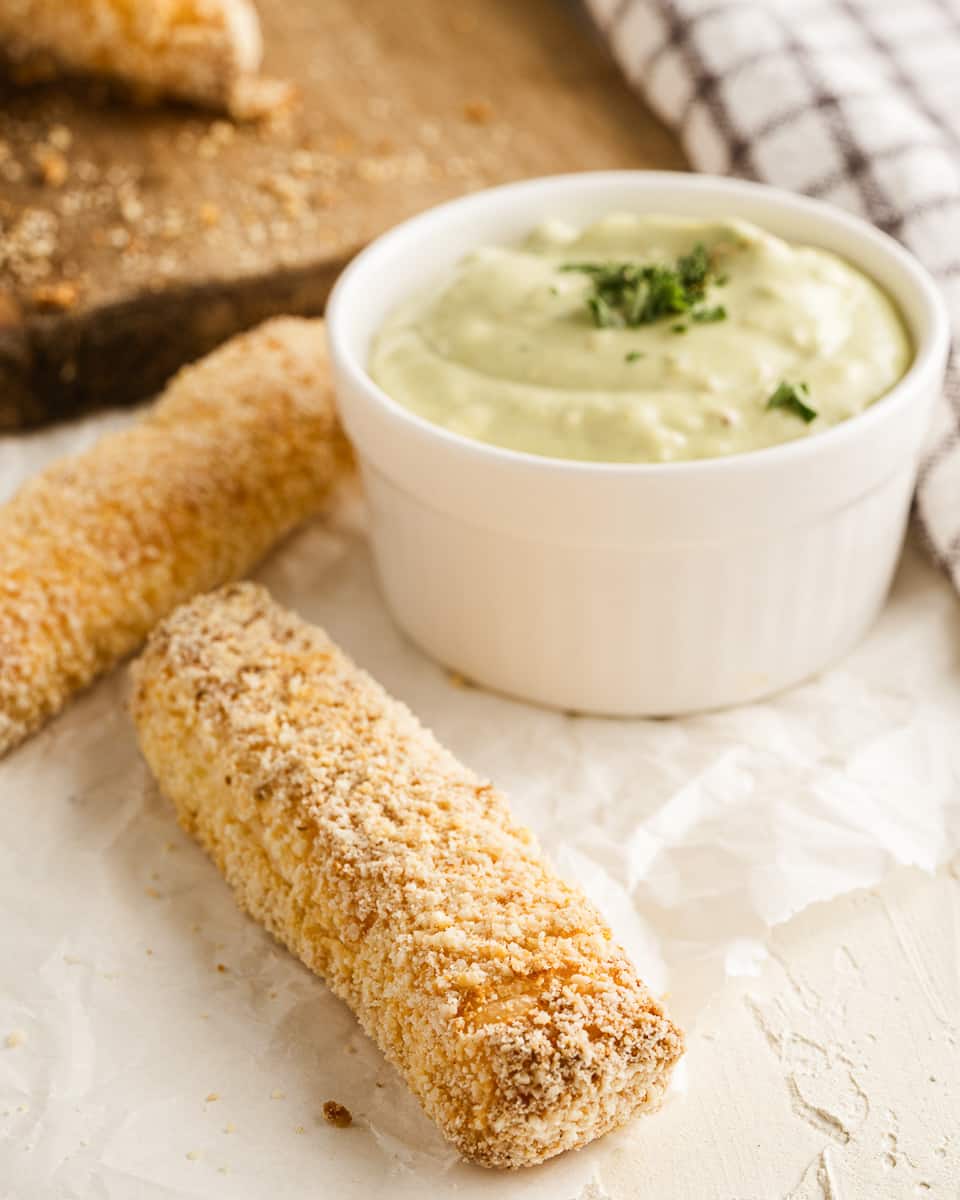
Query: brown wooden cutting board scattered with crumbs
133	241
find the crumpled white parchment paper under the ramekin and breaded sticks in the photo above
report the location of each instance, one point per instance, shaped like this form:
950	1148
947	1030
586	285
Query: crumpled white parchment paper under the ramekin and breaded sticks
155	1043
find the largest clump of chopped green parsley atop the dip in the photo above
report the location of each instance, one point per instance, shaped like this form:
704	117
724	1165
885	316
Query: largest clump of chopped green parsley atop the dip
629	295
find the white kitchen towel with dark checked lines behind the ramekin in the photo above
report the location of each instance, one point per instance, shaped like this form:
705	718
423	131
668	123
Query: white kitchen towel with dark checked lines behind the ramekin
853	101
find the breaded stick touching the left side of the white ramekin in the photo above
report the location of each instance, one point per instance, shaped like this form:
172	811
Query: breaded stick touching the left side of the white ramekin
243	447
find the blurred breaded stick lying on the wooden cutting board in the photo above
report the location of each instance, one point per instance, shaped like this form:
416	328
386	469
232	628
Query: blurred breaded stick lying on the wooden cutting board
203	51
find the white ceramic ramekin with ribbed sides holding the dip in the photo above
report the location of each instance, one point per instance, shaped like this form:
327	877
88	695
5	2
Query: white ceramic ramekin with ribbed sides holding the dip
632	589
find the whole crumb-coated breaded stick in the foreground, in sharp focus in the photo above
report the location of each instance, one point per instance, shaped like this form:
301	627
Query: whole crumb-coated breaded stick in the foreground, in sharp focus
403	879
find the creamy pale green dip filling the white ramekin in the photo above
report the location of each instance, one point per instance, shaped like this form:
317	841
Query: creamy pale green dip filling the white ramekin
644	339
